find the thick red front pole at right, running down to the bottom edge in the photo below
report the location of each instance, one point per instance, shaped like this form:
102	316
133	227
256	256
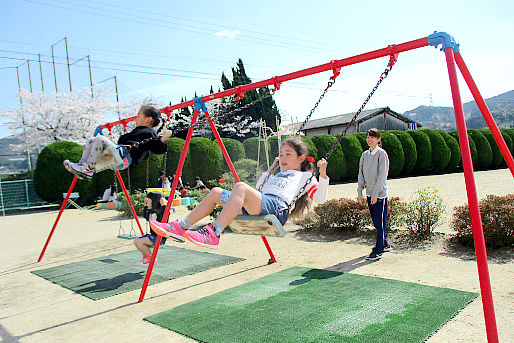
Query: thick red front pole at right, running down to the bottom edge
476	220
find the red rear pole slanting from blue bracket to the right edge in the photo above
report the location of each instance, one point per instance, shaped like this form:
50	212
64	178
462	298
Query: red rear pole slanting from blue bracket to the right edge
485	112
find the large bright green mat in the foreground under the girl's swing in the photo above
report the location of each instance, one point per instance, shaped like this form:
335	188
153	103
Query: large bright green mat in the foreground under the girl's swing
312	305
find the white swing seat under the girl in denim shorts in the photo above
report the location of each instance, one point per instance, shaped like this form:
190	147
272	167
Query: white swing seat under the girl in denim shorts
266	225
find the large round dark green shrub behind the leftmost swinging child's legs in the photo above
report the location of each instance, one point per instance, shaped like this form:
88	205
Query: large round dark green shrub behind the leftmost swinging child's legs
51	179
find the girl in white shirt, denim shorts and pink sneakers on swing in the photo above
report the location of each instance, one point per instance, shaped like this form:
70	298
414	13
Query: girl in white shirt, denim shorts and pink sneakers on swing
278	192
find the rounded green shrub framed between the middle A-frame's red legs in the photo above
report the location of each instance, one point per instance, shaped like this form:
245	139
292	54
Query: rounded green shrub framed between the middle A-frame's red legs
204	160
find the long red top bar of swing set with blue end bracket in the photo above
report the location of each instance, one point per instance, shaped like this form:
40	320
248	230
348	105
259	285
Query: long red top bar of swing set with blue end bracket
335	66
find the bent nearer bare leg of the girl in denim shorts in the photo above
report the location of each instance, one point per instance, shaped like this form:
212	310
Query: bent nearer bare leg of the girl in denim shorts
242	195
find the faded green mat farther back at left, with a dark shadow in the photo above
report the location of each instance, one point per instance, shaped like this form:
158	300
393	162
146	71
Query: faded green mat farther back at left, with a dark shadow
103	277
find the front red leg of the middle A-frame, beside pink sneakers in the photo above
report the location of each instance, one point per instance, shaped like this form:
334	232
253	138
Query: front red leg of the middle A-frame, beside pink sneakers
168	205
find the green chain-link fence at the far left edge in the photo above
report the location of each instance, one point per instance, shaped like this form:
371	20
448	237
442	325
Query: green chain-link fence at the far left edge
19	194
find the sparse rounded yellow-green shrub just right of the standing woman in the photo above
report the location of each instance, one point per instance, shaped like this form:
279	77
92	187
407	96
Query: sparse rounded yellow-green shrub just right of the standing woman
423	213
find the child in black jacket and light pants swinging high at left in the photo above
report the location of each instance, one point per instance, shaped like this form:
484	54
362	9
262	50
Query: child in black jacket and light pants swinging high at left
133	147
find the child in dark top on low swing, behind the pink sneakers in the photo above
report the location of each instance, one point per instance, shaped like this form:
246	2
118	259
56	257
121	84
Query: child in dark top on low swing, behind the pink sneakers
154	210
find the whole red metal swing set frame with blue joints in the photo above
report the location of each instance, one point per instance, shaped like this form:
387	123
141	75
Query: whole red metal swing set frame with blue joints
453	57
